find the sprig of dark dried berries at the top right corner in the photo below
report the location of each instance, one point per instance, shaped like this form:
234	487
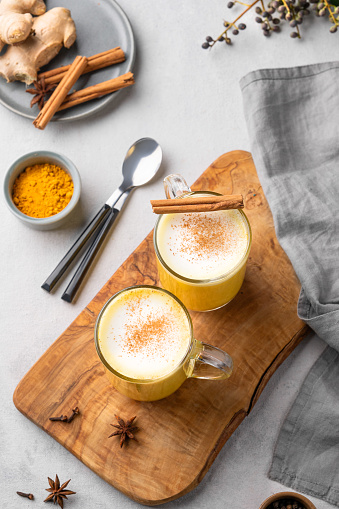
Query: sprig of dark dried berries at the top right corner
292	11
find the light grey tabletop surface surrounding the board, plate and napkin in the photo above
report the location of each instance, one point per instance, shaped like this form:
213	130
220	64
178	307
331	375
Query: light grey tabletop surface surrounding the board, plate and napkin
189	100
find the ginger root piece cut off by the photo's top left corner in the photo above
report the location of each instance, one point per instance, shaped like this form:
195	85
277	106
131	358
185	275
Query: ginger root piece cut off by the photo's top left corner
16	20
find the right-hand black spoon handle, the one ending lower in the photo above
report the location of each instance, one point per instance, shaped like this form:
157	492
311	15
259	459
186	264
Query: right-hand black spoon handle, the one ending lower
89	256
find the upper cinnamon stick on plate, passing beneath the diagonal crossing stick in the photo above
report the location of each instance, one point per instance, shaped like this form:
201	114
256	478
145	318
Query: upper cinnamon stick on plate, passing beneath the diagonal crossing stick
95	62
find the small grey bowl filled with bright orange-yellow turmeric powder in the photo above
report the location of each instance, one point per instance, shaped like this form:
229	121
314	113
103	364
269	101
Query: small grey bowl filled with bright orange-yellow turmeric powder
42	188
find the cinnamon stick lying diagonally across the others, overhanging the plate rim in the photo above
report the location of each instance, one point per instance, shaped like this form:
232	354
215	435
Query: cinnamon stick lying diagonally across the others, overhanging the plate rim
60	93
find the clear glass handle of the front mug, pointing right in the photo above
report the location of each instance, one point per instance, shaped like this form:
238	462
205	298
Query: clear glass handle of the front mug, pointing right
210	362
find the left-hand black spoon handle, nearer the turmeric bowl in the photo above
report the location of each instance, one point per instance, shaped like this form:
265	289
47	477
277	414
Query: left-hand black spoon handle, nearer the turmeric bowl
98	220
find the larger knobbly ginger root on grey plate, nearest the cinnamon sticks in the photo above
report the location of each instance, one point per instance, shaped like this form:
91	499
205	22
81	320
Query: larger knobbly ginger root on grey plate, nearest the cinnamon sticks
51	31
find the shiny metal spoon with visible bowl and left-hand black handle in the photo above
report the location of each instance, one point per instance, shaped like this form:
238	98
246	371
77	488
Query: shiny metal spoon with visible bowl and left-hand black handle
141	163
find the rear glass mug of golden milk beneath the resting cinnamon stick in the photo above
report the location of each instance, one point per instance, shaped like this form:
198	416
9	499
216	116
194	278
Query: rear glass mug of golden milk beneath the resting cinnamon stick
201	256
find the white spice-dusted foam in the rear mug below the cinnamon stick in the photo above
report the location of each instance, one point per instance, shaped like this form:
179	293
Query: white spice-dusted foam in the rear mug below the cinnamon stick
202	245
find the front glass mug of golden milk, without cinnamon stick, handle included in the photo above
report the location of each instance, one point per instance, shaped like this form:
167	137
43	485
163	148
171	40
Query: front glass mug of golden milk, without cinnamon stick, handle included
144	338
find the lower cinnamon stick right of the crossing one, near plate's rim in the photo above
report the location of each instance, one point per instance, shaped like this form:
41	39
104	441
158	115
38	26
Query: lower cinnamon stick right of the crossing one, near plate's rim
95	91
